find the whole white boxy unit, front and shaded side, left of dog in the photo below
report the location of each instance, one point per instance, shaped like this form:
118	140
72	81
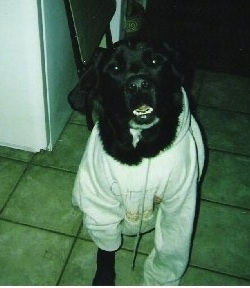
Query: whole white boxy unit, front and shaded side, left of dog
37	71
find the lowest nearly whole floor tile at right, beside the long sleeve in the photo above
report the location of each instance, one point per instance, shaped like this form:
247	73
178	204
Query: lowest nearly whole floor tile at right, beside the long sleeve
222	240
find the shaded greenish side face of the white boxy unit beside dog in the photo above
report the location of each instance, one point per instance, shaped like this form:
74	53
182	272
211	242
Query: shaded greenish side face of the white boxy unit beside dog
60	68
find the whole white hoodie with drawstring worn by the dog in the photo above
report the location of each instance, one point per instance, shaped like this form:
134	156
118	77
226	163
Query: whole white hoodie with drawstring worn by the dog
113	195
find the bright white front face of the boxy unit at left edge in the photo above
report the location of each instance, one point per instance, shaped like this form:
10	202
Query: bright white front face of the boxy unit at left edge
21	89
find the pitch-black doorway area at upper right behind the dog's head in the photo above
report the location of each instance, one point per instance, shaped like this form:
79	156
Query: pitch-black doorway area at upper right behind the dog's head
215	32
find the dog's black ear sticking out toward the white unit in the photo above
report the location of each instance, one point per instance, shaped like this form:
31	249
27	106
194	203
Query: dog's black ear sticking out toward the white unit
84	92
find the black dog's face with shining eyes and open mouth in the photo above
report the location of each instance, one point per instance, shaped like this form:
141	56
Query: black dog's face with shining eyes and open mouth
138	83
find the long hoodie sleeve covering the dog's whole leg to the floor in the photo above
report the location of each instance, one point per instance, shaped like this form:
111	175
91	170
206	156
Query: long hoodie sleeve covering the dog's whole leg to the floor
174	225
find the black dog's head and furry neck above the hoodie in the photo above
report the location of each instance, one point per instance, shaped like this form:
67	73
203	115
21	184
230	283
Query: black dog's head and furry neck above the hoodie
137	88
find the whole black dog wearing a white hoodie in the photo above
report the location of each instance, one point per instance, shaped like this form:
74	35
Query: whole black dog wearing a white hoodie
145	150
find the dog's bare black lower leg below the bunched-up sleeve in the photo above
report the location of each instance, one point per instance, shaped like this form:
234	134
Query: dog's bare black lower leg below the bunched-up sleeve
105	272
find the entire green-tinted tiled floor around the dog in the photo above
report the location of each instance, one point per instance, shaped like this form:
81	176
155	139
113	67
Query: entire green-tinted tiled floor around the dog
41	237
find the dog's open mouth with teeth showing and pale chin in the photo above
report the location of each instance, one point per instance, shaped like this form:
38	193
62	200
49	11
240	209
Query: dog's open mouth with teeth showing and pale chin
143	117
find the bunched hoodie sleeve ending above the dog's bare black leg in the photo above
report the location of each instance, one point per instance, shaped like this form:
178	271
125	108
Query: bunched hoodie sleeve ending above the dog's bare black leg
92	193
